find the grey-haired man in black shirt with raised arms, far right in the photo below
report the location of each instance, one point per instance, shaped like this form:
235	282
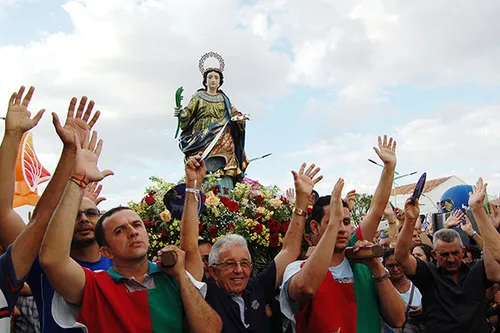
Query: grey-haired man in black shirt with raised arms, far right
453	293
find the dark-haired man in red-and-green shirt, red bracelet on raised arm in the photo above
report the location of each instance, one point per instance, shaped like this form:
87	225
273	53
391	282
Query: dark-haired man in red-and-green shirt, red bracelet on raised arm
134	295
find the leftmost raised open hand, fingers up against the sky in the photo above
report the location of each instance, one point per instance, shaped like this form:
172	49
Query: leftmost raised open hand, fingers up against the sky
18	118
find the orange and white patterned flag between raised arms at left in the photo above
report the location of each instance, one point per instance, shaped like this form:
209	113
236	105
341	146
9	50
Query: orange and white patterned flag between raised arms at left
29	173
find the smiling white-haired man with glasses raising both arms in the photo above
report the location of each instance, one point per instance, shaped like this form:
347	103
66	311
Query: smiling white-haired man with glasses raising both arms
239	299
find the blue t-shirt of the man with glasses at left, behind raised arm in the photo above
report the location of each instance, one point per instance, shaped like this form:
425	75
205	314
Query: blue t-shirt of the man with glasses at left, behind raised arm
43	292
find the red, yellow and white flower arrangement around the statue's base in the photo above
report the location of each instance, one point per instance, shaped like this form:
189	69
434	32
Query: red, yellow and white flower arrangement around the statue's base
258	213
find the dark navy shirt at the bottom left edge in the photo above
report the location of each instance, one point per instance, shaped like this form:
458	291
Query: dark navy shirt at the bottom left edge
10	289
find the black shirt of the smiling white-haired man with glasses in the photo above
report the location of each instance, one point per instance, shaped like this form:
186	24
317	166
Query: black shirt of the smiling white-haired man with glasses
258	293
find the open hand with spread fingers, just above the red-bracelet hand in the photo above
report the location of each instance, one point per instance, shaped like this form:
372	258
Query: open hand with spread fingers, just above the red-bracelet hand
77	124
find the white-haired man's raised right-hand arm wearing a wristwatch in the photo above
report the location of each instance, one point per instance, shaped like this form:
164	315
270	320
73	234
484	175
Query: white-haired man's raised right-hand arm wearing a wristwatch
304	184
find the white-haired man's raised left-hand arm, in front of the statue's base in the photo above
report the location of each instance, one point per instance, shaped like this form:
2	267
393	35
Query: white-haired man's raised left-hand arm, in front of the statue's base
195	172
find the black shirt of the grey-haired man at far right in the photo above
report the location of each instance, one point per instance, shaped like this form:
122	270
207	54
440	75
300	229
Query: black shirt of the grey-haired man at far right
452	307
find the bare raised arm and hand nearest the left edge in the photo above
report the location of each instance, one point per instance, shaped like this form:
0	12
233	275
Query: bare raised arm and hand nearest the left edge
17	122
